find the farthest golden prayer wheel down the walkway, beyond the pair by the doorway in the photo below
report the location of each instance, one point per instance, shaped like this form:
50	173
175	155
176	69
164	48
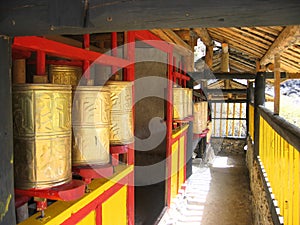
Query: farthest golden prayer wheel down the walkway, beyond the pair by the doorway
200	117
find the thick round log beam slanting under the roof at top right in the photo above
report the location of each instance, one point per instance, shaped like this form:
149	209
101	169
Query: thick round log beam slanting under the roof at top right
286	38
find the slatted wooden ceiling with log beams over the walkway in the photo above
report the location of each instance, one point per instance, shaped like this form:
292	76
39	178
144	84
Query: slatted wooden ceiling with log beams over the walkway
248	46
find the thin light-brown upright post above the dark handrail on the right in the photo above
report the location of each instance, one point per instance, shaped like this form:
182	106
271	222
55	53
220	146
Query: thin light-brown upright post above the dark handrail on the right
276	84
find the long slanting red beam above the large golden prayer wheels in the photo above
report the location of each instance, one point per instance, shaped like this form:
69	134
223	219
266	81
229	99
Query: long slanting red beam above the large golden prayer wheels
34	43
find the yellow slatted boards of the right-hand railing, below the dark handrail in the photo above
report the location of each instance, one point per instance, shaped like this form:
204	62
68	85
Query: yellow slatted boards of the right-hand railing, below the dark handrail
281	161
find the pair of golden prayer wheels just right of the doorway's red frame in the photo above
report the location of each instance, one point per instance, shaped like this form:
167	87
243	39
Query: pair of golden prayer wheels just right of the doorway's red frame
182	103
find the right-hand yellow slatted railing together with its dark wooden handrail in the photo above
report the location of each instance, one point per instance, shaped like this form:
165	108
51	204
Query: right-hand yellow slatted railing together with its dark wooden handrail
279	145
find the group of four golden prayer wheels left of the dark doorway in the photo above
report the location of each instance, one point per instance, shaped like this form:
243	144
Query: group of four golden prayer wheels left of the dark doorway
57	126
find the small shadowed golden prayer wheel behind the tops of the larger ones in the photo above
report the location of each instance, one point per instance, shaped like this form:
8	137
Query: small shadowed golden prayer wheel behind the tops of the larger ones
69	75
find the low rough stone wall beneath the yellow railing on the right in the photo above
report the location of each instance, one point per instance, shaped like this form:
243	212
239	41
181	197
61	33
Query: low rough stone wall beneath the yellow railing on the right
260	207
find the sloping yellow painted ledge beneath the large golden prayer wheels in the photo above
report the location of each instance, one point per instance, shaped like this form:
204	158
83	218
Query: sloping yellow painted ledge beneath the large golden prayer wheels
60	211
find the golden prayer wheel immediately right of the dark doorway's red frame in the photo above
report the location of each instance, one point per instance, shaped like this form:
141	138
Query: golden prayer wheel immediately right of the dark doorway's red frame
178	103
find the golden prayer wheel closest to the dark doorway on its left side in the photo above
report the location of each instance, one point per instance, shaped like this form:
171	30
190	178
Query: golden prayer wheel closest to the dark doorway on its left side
121	130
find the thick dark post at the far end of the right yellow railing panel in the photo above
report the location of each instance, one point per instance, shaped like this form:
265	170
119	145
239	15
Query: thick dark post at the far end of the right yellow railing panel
259	99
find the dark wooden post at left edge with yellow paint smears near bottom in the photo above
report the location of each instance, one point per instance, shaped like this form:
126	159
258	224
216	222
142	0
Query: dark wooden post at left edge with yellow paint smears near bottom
7	211
